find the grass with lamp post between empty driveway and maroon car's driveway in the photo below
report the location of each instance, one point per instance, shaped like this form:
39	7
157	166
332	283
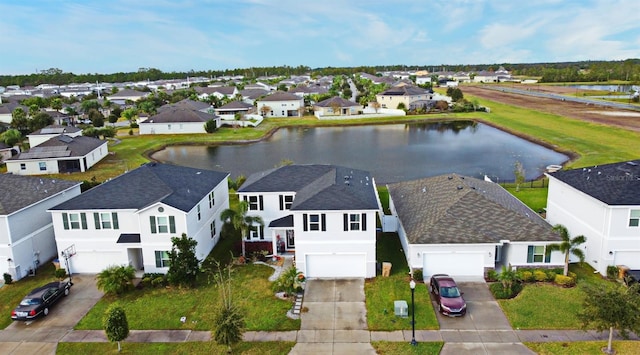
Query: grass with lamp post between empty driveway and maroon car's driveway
382	291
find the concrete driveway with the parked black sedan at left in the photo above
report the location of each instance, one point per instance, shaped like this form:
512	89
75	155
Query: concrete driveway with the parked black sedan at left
43	333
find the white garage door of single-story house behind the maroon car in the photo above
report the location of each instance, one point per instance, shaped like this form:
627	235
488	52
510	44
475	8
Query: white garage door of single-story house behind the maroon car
454	264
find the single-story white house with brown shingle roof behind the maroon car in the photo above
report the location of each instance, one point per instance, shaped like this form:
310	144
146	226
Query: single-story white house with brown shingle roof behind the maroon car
464	227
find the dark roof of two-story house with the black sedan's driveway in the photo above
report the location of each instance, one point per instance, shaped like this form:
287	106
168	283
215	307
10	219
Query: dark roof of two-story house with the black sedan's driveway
173	185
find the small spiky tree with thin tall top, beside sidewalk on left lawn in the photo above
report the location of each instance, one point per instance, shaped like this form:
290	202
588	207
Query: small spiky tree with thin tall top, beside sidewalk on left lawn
229	321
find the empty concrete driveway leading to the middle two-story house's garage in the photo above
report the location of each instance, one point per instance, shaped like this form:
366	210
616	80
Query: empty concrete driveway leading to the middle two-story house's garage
333	320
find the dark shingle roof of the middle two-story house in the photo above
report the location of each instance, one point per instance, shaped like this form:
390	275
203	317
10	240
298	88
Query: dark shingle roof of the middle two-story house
318	187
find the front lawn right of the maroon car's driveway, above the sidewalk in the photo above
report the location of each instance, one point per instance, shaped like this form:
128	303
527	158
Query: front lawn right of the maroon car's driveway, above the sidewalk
547	306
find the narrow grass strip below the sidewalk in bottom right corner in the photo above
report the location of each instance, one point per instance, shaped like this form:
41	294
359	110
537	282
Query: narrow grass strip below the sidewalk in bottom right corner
584	347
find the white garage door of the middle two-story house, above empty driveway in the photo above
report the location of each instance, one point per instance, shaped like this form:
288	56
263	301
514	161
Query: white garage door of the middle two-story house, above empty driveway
335	265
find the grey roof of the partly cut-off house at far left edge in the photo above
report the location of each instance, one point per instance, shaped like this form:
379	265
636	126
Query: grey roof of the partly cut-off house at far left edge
18	192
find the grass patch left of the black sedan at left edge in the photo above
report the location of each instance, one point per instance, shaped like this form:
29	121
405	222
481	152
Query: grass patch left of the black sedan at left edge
11	295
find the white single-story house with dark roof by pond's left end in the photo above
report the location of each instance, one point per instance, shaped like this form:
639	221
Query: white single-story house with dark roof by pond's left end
59	154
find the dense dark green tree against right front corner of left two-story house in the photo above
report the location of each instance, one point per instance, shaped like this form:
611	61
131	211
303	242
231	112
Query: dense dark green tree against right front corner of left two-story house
184	264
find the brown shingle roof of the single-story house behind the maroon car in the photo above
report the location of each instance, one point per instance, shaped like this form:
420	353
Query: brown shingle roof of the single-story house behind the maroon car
453	209
